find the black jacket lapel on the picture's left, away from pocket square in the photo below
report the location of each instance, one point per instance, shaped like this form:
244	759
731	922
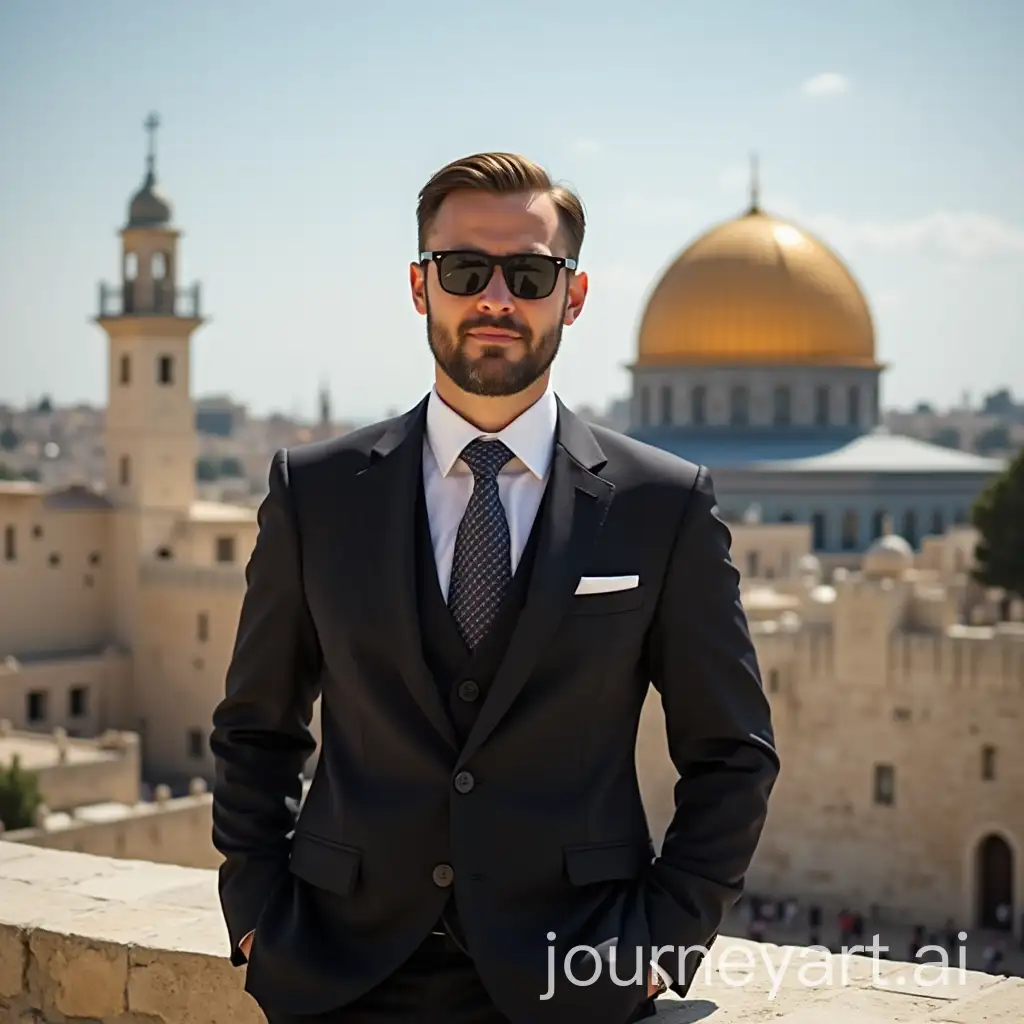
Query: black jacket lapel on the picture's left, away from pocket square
388	495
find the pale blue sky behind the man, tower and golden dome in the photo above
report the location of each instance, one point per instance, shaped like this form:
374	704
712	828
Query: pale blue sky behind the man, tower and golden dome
296	137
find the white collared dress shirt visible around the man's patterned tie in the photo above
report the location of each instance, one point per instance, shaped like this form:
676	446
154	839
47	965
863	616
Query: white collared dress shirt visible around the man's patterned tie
448	482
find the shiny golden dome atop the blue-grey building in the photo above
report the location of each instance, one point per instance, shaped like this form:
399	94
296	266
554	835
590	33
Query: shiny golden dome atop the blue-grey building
757	290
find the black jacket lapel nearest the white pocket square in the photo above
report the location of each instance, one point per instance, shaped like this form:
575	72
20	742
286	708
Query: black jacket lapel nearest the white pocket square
573	516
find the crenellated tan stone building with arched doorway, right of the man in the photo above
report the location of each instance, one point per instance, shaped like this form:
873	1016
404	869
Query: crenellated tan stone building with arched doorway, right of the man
898	697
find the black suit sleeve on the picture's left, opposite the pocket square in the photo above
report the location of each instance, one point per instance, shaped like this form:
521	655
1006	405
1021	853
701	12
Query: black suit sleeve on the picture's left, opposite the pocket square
262	735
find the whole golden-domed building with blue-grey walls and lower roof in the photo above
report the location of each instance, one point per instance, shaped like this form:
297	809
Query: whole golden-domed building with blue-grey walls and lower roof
757	358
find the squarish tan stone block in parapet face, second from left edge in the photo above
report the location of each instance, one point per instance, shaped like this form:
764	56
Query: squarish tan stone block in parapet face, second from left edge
76	977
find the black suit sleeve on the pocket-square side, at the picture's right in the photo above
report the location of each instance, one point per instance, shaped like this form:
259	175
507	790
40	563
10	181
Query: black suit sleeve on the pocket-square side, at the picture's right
719	731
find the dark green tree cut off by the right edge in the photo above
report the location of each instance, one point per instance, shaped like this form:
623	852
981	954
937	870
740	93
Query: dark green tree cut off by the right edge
999	518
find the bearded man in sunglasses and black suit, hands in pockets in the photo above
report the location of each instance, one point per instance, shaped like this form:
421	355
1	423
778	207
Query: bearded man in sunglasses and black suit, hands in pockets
482	591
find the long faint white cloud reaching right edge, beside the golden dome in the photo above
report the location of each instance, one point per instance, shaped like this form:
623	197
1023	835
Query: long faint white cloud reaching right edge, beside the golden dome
944	233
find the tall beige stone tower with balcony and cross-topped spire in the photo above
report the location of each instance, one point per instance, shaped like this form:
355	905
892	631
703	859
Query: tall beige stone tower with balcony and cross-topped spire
149	320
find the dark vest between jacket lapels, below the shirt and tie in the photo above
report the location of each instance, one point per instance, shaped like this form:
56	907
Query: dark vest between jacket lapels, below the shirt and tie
463	676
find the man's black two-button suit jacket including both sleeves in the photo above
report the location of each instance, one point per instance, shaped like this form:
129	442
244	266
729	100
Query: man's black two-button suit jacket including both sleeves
551	837
